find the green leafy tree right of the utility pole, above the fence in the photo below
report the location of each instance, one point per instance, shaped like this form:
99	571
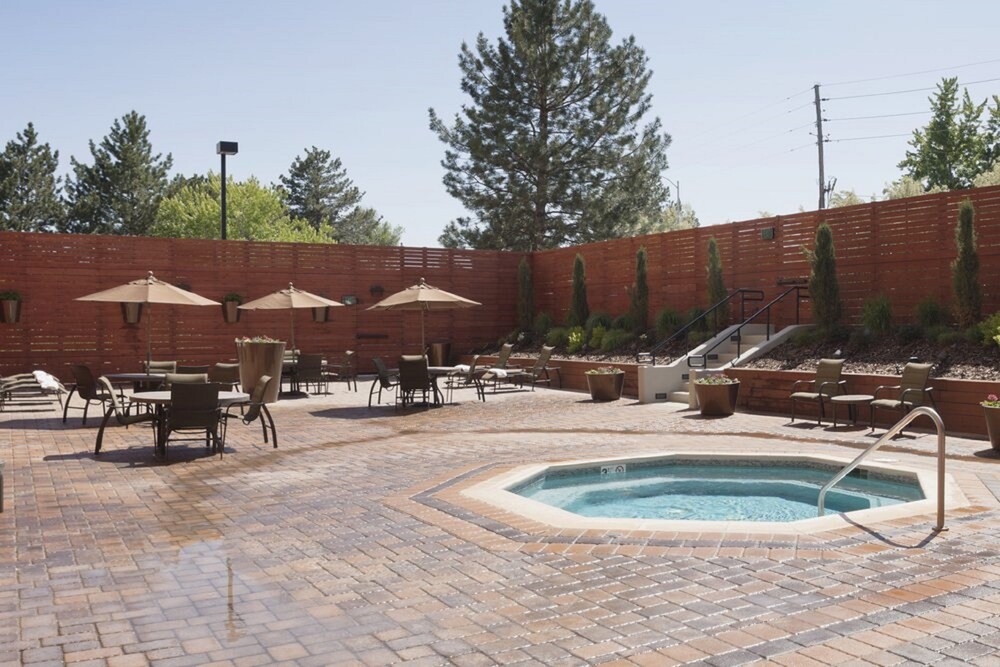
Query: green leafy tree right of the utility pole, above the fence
955	146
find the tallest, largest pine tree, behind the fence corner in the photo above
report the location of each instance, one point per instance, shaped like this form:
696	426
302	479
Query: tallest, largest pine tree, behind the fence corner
550	150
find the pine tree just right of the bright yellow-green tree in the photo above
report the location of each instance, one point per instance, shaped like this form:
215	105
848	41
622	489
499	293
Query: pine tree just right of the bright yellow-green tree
319	192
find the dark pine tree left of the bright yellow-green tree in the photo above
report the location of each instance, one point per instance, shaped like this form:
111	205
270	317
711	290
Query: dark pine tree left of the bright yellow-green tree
120	192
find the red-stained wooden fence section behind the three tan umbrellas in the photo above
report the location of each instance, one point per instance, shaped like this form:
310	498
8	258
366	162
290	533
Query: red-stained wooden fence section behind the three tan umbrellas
50	270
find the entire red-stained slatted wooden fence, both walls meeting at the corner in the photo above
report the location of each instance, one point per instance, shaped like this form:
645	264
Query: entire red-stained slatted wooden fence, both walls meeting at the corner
901	248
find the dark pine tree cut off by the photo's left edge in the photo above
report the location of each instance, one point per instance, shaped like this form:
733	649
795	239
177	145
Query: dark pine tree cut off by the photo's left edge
29	187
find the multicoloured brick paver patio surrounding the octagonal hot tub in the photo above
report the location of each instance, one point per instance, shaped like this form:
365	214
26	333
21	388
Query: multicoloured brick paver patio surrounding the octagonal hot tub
352	544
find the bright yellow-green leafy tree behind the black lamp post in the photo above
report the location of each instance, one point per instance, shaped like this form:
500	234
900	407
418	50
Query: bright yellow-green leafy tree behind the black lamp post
254	212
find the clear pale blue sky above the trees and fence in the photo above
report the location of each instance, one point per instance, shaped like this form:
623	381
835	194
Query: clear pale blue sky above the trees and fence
731	82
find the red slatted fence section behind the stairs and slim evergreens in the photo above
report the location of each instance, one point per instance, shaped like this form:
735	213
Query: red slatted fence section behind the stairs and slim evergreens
901	248
